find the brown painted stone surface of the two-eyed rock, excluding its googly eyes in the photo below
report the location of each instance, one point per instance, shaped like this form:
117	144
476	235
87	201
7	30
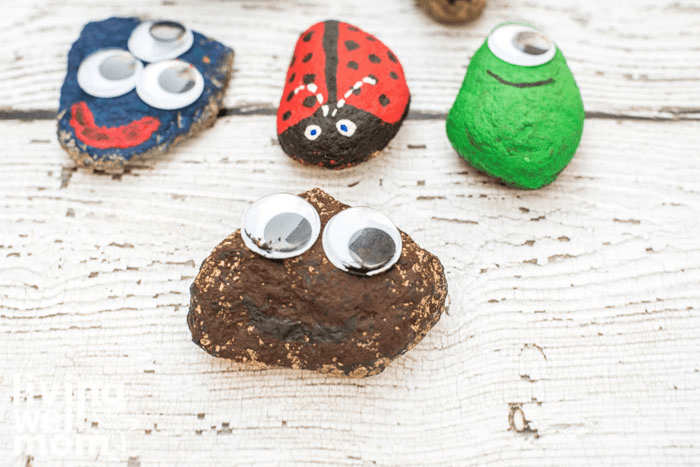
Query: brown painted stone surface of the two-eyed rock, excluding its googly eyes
304	313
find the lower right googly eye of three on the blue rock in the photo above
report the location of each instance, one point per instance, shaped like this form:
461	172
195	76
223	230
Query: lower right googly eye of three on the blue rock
170	85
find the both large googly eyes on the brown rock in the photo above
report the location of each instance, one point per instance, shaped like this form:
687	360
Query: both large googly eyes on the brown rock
357	240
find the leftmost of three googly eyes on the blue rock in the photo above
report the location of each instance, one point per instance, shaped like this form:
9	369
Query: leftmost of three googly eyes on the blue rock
109	73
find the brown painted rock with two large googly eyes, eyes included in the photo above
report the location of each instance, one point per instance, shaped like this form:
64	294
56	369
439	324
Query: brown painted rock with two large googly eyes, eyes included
274	294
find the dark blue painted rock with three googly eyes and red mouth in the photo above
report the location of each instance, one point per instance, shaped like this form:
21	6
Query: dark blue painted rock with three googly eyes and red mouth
133	89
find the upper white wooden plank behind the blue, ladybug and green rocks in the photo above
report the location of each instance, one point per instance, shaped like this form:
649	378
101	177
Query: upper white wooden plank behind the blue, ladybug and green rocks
636	59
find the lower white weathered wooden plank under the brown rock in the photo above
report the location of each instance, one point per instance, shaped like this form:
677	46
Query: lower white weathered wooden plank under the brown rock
571	337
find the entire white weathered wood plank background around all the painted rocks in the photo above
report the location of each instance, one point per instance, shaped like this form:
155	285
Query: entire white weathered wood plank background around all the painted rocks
573	335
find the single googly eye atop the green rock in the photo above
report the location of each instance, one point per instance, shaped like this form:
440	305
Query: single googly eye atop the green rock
521	45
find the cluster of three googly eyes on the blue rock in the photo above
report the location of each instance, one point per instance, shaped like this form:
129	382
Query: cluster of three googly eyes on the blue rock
168	84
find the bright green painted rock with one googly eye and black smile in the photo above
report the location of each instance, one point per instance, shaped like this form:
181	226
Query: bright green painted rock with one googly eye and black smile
519	115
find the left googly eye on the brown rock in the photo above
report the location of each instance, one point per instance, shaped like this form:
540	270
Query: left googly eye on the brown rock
280	226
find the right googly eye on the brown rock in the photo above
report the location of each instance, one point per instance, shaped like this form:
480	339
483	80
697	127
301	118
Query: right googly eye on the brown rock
362	241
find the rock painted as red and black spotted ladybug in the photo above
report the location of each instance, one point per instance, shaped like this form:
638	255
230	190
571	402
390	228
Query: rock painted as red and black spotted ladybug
344	99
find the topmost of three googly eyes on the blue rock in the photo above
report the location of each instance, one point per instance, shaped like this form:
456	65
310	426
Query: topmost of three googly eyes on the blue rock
153	41
